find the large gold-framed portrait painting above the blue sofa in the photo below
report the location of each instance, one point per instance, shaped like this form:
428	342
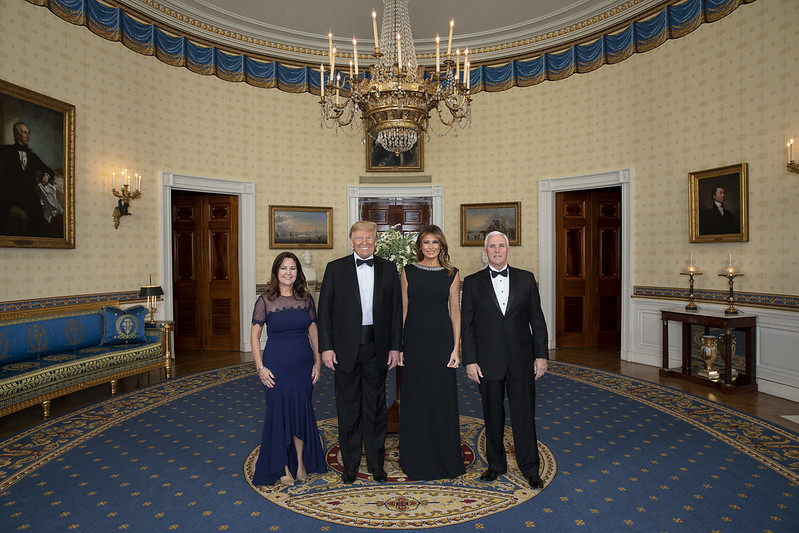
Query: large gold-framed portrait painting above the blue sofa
37	170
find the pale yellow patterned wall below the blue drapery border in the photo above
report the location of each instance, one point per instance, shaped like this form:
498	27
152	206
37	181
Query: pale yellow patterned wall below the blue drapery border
727	93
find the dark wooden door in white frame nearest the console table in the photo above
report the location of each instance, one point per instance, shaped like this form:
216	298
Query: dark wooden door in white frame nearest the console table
588	269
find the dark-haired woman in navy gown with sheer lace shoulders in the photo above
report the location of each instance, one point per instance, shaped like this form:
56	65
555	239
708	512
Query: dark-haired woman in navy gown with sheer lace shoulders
288	369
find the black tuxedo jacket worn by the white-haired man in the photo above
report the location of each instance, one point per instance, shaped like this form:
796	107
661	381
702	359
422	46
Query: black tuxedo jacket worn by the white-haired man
503	345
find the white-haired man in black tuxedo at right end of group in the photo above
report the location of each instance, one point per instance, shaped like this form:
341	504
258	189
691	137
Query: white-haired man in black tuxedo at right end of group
504	343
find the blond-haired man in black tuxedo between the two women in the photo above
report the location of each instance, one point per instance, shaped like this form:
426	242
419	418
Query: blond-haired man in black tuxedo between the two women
360	335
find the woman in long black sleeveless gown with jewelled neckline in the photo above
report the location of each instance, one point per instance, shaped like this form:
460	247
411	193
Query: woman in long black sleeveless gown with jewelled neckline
430	446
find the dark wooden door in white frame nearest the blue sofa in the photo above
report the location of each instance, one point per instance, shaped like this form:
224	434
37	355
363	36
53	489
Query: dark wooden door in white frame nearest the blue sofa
205	271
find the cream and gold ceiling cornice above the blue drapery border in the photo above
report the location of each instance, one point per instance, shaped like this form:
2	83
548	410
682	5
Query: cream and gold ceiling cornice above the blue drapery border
206	22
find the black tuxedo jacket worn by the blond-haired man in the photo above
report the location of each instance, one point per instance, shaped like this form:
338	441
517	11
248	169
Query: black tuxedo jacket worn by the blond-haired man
339	311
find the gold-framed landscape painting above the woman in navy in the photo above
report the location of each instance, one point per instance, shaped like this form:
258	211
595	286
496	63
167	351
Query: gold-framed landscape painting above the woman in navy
300	227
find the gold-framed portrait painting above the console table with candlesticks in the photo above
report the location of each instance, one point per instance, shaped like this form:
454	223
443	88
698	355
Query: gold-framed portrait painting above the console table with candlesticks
719	204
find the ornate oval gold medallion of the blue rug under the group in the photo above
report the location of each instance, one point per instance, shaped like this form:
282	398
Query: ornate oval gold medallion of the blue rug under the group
402	503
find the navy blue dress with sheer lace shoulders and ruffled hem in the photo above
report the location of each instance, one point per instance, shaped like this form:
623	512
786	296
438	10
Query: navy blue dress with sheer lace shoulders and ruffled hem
289	410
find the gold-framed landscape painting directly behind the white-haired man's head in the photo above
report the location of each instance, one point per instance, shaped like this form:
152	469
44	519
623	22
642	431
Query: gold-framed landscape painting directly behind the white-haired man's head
478	220
